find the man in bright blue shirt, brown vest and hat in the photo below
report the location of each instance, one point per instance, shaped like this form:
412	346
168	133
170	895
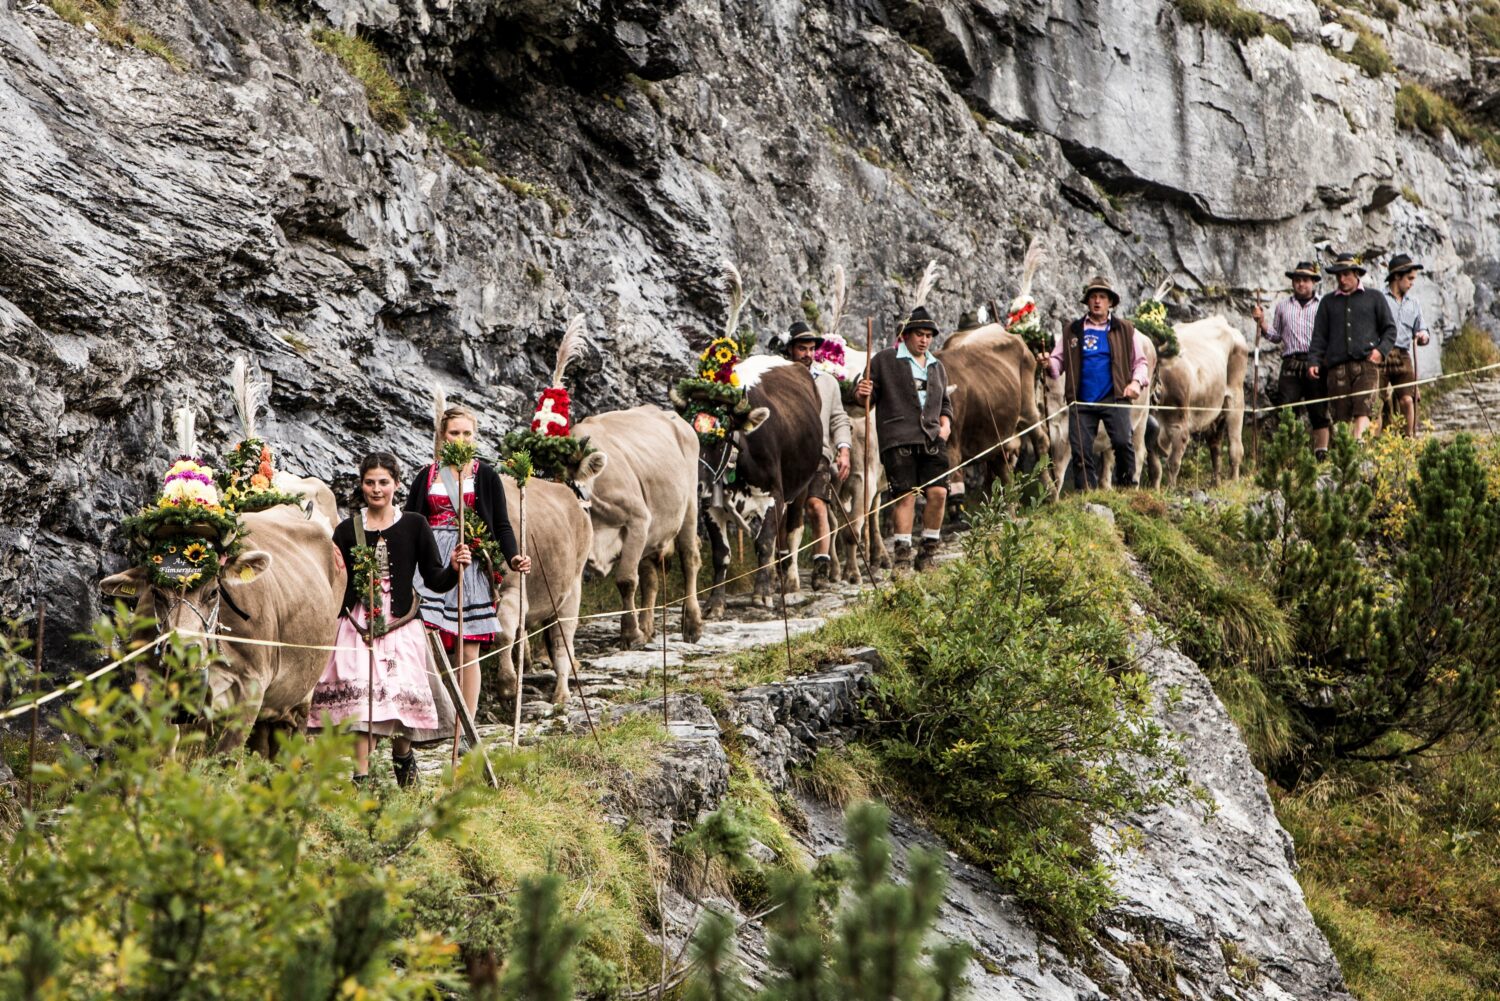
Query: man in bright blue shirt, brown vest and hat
1103	371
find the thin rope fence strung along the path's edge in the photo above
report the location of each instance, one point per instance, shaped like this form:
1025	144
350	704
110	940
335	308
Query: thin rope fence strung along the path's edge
28	705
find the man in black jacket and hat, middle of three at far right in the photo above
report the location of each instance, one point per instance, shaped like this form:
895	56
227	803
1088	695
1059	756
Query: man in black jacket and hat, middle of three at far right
1352	335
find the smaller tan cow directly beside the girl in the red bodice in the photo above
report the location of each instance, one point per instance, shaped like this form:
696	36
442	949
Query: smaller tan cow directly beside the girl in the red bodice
559	540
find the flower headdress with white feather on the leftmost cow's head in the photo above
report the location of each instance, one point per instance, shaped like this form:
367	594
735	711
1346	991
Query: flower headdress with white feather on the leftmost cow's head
187	535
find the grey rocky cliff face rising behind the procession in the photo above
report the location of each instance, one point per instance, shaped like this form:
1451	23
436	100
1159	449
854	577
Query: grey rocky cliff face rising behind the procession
160	220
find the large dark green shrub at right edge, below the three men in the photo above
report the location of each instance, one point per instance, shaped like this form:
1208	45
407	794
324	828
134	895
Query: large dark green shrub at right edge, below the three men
1396	649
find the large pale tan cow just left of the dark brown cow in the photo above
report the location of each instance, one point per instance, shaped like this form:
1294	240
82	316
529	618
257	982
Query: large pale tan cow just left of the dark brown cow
644	508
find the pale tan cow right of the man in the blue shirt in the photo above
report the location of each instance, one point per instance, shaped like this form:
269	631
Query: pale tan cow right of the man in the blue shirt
1208	380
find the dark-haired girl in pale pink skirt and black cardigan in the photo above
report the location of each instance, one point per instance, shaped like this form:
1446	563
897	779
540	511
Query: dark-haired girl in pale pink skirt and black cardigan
401	697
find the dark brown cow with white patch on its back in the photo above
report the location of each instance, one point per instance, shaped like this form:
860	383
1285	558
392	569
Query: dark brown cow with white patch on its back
770	472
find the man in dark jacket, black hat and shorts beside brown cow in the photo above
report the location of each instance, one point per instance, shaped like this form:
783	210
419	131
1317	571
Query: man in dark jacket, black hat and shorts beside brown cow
908	388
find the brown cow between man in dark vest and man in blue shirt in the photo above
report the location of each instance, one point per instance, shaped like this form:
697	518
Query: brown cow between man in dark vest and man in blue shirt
994	397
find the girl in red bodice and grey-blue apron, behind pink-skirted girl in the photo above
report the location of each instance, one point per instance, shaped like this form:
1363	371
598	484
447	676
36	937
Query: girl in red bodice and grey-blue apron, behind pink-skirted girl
431	494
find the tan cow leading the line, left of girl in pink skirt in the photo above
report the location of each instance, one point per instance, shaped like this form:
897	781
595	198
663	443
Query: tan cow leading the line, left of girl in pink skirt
289	585
